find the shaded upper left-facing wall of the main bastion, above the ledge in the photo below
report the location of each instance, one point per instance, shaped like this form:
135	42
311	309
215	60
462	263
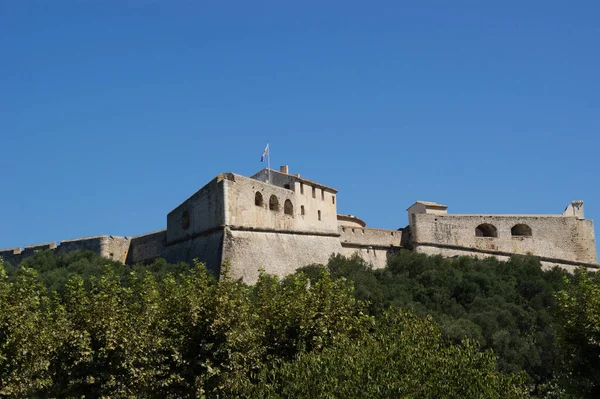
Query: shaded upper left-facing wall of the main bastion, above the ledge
201	212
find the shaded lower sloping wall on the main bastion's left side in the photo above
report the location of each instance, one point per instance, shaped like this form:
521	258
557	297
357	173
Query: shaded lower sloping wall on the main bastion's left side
206	248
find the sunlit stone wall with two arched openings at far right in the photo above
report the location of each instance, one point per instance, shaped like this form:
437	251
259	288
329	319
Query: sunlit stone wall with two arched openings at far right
554	237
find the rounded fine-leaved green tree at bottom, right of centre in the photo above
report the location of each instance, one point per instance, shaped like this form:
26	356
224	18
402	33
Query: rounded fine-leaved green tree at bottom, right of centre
404	357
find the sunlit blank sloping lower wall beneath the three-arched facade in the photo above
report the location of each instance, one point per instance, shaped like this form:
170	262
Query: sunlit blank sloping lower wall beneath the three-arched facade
276	253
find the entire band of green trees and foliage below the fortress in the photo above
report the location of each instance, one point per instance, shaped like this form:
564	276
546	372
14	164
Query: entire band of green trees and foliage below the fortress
76	325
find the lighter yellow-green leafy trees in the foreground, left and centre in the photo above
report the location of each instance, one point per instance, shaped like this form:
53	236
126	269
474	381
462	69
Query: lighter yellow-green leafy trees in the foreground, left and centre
184	334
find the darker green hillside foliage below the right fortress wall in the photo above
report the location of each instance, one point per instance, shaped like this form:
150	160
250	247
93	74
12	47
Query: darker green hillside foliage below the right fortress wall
534	320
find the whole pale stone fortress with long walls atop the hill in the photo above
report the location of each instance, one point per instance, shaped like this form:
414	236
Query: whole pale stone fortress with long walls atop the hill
279	221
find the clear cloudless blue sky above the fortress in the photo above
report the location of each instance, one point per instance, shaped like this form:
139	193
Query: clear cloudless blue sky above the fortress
114	112
